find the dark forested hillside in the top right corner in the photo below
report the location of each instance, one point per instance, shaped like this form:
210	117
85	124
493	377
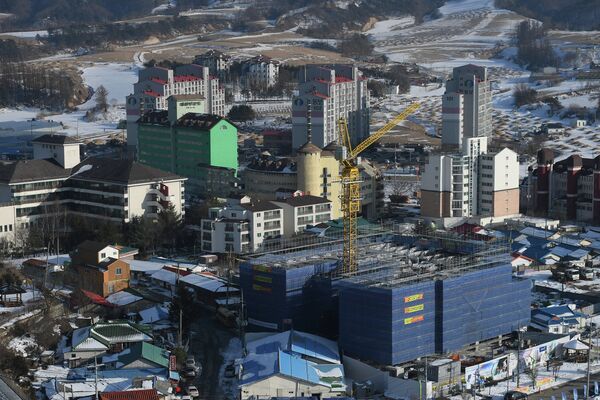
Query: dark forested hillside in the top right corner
578	15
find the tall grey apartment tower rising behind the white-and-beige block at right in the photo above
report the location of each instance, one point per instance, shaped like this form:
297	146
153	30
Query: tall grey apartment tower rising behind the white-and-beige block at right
466	106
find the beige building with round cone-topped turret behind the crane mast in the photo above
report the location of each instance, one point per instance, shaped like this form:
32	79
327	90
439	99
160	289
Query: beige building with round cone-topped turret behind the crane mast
315	172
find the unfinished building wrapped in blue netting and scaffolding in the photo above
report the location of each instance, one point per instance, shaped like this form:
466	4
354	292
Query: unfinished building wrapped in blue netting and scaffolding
413	295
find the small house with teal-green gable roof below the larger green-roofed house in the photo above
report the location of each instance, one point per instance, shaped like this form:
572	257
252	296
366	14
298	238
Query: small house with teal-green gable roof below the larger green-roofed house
140	355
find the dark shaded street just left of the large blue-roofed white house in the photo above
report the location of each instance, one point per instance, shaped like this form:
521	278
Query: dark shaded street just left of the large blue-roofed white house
208	339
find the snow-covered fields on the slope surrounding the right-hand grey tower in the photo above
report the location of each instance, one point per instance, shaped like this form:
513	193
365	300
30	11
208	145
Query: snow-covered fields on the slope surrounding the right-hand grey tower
466	33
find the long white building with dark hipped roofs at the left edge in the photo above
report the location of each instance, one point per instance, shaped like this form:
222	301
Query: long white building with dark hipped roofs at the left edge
100	188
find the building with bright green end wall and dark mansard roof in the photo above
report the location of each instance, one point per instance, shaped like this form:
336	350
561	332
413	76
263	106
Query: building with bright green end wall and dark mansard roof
200	147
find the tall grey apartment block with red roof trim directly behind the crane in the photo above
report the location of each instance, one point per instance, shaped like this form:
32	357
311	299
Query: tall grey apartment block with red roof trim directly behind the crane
327	93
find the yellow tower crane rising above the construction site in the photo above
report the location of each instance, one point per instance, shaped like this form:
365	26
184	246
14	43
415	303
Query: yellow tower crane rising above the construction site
351	185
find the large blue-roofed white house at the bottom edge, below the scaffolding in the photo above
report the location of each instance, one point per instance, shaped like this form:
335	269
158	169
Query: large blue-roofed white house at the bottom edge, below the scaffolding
292	364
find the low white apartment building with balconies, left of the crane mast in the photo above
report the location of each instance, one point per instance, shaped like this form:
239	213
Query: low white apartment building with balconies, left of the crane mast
245	225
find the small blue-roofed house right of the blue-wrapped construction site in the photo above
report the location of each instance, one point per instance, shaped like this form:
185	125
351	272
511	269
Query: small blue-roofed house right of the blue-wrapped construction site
561	319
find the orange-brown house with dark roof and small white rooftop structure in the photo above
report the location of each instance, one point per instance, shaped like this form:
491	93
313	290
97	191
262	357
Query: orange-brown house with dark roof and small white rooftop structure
96	268
